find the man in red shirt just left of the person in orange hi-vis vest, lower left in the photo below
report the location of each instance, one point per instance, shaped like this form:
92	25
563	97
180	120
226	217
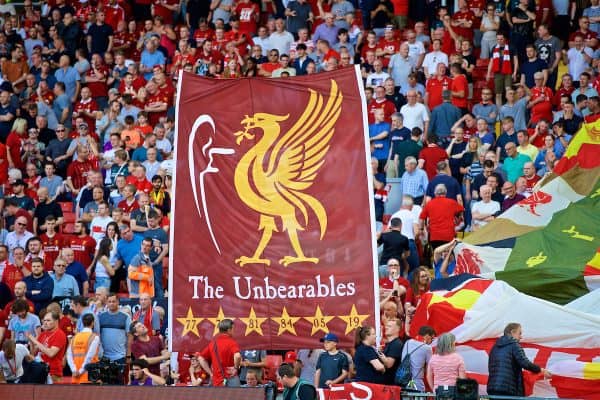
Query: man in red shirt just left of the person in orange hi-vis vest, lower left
51	345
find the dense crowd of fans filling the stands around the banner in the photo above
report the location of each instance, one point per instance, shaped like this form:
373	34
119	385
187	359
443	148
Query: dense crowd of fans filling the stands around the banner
470	103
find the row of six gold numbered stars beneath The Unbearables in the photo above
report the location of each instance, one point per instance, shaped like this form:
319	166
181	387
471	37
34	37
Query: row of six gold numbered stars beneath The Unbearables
285	321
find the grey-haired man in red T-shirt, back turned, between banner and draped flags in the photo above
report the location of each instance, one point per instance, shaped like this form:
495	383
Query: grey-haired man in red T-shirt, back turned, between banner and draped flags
439	214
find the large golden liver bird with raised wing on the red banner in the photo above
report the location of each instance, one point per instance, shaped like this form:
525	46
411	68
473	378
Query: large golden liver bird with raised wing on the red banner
272	177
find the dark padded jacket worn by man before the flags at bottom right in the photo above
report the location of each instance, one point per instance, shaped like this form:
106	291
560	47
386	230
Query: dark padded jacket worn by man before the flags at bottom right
506	362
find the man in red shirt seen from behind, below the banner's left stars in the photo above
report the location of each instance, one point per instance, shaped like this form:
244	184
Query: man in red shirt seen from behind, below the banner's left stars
222	356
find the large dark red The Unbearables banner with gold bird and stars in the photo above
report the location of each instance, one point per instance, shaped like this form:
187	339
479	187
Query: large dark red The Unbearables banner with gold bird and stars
272	218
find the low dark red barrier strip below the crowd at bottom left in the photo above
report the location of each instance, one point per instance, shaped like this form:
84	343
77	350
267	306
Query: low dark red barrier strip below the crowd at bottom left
93	392
